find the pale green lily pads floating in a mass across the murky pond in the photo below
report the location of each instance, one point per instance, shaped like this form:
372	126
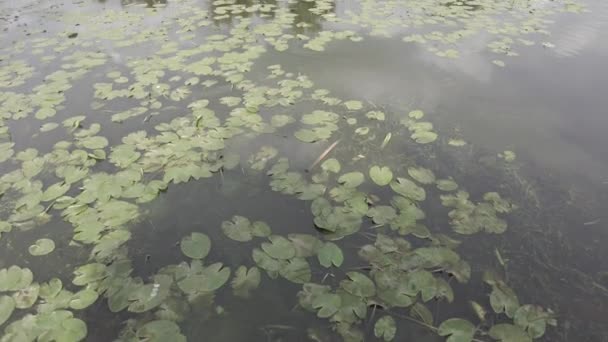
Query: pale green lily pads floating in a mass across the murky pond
168	118
